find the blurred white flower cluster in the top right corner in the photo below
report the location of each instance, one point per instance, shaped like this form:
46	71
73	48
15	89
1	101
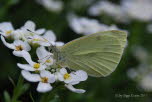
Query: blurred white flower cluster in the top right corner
127	10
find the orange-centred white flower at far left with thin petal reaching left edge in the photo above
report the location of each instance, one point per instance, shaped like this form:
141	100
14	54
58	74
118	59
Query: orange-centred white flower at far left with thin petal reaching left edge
18	46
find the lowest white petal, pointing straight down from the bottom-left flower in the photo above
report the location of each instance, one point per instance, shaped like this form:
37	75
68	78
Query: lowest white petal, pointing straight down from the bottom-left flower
44	87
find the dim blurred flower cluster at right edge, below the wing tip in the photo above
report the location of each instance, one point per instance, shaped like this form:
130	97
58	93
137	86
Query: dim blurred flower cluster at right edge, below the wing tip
142	73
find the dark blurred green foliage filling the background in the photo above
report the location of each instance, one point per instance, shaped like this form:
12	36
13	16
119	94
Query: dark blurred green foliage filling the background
98	89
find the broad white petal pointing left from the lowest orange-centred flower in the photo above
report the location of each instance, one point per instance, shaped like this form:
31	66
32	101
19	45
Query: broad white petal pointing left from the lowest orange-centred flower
30	77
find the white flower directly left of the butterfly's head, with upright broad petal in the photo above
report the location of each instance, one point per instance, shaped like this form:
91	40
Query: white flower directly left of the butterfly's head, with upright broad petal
44	56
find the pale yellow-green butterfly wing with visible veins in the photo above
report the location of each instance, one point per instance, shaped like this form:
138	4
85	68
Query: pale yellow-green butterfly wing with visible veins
97	54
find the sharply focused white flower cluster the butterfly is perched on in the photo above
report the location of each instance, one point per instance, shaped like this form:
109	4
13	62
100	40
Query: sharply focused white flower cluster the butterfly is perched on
28	42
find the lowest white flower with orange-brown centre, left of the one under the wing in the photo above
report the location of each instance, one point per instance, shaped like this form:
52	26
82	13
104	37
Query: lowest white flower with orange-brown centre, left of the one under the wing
45	79
